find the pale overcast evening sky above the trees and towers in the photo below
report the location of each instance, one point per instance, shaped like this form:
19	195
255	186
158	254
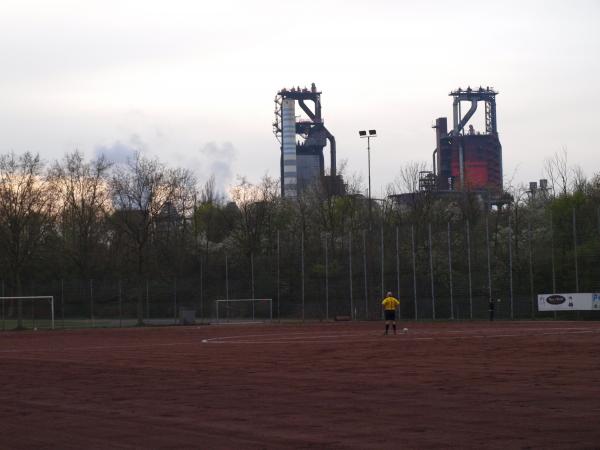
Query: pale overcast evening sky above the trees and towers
193	82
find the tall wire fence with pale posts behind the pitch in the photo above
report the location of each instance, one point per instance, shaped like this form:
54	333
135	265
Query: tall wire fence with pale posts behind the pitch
439	270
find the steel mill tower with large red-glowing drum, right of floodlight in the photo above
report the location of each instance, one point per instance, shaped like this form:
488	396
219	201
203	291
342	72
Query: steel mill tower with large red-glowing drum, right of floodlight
465	159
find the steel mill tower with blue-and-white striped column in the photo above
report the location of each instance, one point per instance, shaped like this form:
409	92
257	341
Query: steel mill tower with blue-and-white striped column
302	143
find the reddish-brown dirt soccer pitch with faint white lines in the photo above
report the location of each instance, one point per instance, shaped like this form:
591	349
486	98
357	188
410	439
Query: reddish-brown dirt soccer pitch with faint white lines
335	385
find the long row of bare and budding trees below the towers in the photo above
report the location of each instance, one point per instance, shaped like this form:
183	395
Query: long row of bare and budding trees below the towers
76	218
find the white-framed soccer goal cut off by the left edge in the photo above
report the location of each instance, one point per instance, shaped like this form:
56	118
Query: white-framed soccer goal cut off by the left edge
36	311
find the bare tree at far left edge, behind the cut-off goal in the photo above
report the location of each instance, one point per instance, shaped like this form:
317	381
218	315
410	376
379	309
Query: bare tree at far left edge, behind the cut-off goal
27	207
